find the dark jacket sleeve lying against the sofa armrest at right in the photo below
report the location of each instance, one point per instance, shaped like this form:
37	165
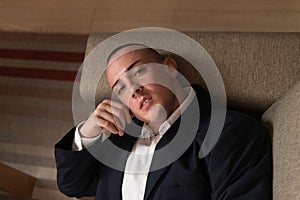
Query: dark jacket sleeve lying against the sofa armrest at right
240	165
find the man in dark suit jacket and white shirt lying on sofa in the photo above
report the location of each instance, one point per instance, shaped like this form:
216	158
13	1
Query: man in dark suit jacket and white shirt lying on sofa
238	167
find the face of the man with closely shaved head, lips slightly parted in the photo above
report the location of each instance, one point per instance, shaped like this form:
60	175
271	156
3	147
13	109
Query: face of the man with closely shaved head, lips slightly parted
139	84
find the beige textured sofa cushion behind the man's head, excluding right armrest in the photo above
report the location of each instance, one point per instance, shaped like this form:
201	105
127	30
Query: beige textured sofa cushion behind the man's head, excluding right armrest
257	68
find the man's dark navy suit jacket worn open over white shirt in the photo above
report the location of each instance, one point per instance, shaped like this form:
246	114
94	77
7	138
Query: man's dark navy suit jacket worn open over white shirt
238	167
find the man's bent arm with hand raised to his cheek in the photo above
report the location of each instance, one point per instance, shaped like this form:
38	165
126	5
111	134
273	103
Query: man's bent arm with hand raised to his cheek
78	170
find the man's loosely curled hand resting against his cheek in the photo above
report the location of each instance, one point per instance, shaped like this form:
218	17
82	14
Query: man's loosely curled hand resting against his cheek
109	116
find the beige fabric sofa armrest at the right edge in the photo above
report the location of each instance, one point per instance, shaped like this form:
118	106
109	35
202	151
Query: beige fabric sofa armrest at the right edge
283	119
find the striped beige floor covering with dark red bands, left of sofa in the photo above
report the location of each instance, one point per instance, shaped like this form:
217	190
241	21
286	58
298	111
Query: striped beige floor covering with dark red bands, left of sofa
36	82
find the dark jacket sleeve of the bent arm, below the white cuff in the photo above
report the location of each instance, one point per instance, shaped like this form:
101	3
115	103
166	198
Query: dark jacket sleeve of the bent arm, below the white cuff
77	171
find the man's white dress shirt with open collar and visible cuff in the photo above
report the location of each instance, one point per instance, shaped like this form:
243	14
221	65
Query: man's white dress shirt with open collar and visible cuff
139	161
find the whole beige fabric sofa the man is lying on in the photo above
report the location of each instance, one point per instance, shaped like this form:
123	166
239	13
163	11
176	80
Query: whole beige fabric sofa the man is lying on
261	73
